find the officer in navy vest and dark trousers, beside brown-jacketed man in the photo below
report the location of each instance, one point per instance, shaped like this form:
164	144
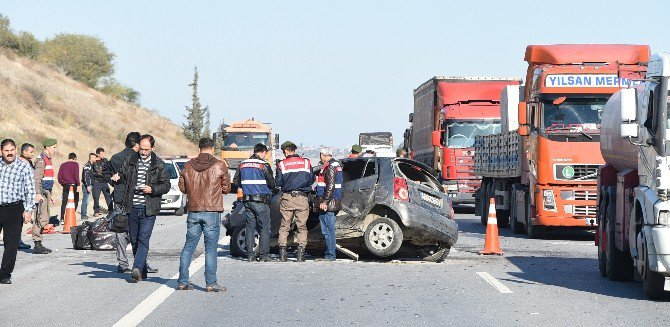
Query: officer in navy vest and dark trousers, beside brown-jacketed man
254	176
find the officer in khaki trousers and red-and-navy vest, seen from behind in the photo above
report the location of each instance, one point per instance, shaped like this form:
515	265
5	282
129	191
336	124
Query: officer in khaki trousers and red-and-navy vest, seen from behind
294	178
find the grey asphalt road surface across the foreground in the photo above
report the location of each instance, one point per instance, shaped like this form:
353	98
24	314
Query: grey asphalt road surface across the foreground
547	282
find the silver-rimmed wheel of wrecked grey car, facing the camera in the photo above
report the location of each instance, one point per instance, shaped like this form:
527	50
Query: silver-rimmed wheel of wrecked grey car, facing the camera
383	237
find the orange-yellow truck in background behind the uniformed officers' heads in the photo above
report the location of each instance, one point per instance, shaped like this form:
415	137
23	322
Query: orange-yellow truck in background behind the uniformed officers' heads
240	137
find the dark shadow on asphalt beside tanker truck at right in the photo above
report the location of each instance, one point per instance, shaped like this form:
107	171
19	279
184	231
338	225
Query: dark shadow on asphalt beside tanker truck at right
580	274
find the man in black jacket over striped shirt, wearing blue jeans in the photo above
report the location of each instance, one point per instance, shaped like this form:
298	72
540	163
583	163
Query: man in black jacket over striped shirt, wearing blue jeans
146	179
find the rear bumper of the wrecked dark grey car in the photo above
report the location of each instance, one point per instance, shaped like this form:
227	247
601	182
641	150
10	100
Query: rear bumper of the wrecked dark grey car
429	223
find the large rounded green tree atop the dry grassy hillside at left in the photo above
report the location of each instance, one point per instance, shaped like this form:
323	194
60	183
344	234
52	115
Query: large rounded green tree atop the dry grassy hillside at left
83	58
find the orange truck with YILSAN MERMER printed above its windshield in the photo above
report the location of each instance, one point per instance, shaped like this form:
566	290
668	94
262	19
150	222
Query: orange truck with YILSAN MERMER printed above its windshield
542	168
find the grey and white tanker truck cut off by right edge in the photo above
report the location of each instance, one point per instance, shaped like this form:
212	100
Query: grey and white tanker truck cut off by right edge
633	236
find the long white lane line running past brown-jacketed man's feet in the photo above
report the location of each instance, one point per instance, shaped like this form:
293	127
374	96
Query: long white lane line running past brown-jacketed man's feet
146	307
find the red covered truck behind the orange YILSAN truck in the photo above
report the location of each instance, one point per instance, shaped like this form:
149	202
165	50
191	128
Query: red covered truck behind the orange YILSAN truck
448	113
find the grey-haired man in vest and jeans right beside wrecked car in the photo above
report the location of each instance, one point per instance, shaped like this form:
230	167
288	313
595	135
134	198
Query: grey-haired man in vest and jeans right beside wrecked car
329	198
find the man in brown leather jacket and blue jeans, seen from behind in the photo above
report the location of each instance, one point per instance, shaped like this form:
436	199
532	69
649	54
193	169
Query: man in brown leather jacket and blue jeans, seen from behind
204	180
